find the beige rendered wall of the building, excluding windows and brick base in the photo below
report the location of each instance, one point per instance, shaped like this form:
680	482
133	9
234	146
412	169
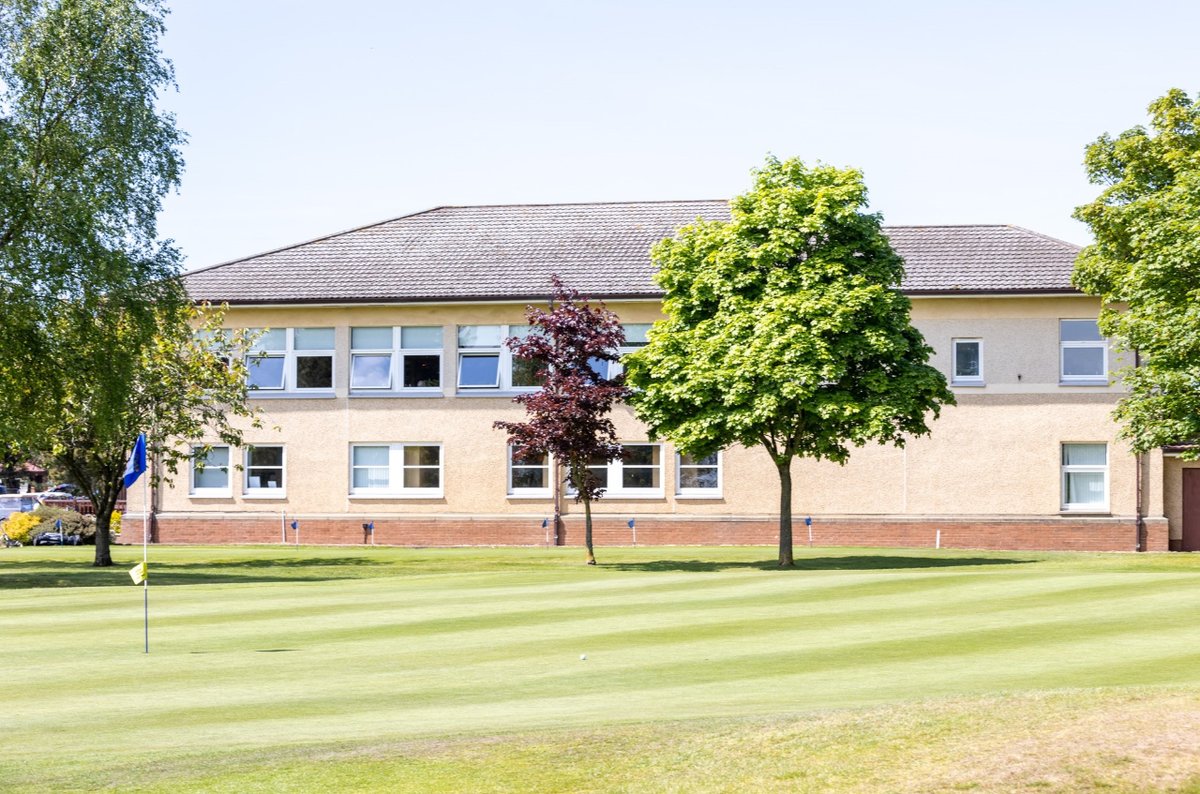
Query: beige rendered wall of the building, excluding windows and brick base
997	454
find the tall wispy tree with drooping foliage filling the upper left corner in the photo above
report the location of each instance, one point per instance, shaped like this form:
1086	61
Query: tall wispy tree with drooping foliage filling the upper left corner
86	159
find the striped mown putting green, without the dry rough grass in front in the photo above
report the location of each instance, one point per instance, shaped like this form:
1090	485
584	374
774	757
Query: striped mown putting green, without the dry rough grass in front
272	649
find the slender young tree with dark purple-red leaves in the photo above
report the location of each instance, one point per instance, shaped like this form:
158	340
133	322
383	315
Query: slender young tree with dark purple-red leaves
569	417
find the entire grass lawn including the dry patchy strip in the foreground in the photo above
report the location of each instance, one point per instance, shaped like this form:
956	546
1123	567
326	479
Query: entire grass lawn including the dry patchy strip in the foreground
277	669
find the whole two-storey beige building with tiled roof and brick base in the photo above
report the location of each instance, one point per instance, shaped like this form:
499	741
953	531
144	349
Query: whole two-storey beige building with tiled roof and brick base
385	371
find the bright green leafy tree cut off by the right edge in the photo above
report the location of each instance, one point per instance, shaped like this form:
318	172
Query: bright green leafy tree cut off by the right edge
1145	267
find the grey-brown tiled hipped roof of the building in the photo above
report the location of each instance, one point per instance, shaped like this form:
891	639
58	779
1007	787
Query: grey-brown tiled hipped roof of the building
454	254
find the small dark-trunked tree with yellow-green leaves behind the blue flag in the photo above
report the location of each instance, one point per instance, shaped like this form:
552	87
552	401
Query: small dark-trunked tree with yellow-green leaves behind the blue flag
176	378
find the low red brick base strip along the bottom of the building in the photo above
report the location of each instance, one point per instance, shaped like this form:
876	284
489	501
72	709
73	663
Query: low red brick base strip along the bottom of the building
1018	534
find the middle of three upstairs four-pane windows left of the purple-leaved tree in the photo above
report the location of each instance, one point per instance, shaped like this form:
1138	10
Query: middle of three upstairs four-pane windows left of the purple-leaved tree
407	358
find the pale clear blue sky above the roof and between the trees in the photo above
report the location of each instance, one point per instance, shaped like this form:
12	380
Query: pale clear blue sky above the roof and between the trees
313	117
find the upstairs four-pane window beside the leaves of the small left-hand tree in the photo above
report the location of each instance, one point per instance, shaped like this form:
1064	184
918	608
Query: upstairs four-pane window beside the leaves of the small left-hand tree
293	360
